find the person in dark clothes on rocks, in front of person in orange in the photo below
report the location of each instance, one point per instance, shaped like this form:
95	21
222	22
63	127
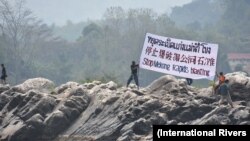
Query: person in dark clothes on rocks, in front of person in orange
224	92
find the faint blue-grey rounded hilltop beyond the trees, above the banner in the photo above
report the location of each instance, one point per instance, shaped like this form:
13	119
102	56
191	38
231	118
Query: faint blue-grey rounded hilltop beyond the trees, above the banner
198	13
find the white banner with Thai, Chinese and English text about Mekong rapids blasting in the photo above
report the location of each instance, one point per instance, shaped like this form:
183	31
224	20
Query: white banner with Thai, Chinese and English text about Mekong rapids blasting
184	58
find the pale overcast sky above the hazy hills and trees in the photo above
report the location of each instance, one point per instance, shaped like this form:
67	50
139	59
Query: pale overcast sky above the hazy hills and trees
59	11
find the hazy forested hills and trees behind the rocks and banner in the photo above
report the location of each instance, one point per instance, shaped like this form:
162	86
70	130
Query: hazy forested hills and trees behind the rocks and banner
103	49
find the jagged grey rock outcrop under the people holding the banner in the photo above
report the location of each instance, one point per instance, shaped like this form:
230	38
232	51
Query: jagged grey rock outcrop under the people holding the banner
36	110
